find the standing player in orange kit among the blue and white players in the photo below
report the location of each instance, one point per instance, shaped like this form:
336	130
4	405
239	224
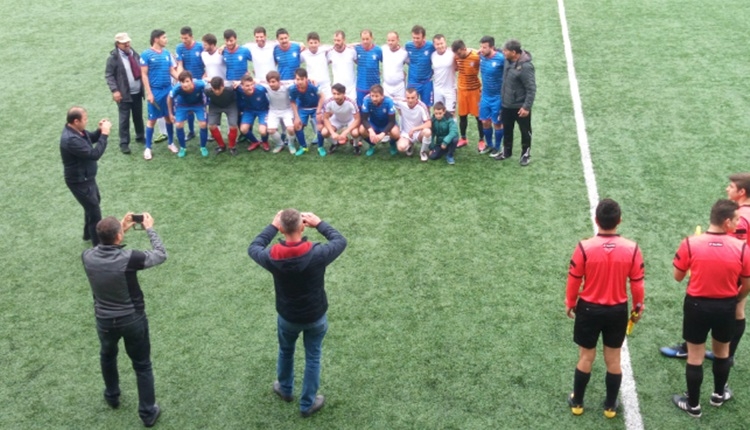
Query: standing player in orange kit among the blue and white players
469	90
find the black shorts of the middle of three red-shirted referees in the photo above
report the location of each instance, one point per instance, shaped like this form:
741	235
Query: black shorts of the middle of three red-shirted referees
701	315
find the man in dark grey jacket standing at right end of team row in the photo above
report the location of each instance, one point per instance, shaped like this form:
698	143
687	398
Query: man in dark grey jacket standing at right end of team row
518	92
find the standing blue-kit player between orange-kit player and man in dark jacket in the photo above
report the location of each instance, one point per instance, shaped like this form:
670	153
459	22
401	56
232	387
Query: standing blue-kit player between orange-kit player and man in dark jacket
491	63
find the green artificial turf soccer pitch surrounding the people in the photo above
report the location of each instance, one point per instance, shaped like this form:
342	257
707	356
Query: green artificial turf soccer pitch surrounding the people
447	308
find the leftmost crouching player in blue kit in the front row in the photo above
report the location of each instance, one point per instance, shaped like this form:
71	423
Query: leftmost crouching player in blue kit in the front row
188	98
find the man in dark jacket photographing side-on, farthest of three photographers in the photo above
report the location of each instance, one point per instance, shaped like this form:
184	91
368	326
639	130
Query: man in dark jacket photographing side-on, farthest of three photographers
79	157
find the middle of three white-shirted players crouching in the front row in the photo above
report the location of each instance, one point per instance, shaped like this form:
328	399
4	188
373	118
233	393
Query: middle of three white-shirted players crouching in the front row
340	118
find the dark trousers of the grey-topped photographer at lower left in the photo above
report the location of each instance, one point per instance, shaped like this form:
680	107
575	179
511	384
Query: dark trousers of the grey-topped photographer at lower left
133	329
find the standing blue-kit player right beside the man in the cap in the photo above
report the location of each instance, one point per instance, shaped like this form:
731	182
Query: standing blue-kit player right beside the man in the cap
157	70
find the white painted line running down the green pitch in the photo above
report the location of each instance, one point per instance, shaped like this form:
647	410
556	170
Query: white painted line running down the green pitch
628	393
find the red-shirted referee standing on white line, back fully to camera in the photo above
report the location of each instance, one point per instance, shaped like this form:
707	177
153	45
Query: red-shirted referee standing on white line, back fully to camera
603	264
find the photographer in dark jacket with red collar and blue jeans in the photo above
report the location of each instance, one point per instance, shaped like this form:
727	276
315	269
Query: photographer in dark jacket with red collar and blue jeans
298	269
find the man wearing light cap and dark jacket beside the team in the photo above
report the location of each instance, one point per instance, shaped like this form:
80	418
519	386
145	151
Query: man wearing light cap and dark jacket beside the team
123	75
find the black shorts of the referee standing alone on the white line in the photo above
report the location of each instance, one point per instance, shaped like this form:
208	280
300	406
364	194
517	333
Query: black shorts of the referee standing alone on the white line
593	319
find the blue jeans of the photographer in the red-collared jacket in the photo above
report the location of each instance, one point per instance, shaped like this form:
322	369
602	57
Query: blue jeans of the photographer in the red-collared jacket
313	339
